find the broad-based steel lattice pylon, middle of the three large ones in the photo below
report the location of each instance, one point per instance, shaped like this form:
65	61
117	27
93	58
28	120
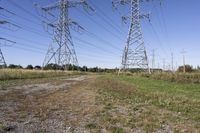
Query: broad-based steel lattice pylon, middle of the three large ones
62	49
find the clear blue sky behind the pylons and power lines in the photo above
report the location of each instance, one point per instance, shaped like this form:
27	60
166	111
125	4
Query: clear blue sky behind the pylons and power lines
176	26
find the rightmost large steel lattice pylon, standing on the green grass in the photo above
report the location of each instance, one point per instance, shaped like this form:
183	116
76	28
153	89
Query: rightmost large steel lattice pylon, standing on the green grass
134	54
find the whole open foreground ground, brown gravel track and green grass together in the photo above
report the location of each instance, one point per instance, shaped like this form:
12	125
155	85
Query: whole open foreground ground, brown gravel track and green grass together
100	103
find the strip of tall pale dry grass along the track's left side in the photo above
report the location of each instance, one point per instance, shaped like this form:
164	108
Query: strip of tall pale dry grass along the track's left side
12	77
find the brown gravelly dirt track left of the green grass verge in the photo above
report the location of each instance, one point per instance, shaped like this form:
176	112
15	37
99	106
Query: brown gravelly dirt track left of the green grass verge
64	105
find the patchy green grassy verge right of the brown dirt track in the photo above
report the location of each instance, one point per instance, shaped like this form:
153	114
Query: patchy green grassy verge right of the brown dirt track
139	104
